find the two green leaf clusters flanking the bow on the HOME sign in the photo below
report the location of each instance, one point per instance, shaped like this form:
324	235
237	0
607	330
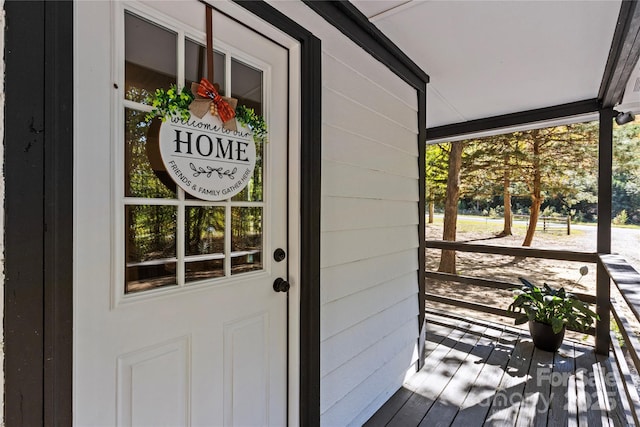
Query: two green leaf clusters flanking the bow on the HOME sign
175	102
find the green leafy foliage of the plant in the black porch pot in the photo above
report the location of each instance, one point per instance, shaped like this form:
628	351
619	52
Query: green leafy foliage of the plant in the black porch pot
555	307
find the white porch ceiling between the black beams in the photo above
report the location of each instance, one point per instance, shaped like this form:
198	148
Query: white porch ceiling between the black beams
488	58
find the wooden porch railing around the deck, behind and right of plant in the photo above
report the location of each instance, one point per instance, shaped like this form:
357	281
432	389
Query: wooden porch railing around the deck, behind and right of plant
614	270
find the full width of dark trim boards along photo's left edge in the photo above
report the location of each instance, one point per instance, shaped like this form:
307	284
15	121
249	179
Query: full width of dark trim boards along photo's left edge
38	205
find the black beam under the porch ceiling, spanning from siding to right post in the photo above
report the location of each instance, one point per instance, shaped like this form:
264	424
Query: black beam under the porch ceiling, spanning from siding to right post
513	119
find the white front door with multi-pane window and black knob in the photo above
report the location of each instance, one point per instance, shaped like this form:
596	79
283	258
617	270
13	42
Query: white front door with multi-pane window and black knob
176	321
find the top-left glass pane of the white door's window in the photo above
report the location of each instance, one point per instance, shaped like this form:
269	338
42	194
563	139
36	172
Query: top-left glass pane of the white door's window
150	58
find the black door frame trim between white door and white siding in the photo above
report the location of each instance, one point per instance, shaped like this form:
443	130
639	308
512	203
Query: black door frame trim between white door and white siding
310	198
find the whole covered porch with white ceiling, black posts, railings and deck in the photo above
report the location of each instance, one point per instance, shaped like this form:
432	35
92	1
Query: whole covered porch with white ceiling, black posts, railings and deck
477	372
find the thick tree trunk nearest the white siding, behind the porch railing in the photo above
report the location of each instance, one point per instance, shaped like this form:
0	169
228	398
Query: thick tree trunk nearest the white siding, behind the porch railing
448	258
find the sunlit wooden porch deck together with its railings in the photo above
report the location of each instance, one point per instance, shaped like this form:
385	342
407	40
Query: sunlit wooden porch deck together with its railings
478	372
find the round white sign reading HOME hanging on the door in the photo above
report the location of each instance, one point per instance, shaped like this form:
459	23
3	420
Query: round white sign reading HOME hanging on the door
206	160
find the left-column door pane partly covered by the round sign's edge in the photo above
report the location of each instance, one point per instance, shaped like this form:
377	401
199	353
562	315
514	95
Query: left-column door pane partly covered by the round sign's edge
145	174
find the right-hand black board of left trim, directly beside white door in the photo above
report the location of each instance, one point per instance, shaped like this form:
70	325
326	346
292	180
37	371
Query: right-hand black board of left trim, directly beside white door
58	213
